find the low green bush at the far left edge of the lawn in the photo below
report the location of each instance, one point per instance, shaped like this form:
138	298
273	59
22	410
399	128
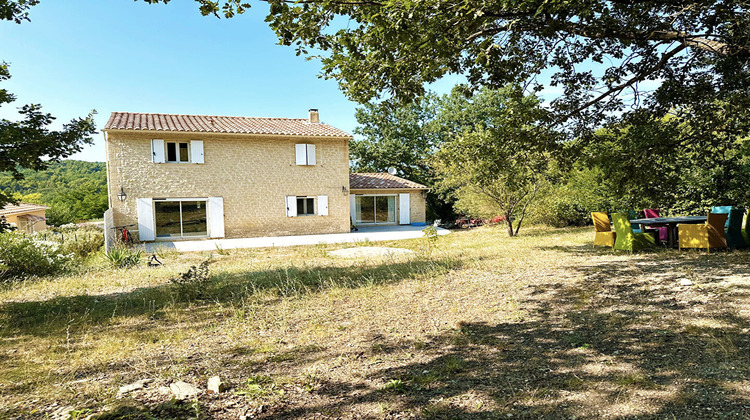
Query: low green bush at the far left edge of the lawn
22	255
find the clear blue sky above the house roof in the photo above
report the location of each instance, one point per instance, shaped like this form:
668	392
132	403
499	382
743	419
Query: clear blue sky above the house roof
75	56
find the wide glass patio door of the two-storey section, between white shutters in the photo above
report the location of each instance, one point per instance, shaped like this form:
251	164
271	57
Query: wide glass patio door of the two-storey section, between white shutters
180	218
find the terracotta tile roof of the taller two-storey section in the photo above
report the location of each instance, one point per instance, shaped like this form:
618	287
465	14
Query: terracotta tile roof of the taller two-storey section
219	124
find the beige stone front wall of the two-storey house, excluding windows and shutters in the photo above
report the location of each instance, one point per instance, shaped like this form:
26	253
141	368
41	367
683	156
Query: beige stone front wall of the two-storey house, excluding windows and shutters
252	173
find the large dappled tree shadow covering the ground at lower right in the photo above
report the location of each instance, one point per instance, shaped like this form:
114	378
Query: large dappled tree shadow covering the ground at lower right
630	347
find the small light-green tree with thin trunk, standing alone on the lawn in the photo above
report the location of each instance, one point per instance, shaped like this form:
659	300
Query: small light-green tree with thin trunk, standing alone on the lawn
496	156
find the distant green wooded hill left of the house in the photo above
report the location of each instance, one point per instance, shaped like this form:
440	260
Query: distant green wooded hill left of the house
73	189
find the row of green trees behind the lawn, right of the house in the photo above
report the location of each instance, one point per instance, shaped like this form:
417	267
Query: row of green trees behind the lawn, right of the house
500	153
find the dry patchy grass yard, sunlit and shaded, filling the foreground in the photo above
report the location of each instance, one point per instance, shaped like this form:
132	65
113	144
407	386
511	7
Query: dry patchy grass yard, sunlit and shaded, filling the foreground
479	326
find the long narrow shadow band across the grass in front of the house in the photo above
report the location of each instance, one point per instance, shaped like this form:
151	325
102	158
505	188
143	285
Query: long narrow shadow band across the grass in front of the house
57	316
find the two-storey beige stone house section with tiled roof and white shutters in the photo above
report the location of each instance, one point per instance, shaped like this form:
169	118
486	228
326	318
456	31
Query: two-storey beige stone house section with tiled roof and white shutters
189	177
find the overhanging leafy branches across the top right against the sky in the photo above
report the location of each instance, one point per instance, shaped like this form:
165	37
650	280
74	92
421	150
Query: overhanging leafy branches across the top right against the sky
394	47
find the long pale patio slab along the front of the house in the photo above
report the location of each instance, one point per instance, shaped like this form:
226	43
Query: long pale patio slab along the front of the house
372	234
